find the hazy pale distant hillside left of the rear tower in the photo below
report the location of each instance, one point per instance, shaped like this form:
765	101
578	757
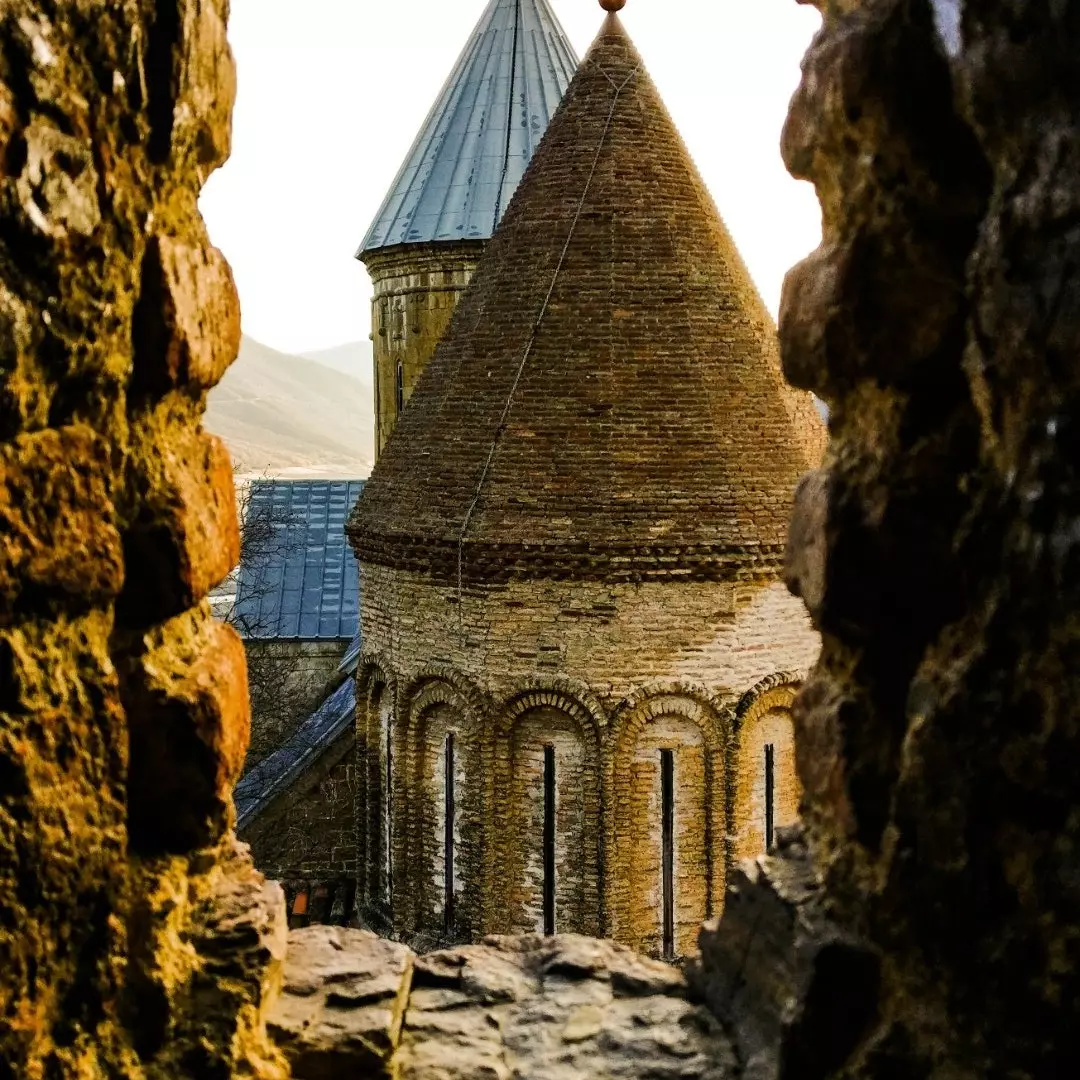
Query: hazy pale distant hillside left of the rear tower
292	416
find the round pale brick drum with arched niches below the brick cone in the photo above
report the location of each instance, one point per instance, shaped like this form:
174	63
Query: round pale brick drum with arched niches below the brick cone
609	677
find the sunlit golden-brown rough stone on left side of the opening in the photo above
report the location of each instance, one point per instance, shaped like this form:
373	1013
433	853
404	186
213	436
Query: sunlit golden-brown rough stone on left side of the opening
136	938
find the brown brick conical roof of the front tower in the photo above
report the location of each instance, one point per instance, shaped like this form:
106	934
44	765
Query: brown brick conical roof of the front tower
609	401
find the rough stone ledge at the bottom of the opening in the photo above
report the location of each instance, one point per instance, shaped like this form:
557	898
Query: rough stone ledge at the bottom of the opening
539	1008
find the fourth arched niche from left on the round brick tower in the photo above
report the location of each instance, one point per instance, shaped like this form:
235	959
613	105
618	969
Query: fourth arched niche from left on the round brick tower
667	822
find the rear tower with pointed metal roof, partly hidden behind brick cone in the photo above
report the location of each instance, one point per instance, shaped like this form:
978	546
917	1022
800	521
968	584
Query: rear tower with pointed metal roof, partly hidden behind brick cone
455	185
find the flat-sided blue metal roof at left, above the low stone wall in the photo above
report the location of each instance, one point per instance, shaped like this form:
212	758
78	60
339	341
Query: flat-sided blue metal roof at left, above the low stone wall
299	578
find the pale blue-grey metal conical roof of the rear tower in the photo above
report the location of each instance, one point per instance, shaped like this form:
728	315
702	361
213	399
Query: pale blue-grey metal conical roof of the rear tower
488	121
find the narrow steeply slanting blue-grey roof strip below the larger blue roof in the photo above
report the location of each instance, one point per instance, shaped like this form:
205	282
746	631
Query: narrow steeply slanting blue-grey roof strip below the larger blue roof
261	786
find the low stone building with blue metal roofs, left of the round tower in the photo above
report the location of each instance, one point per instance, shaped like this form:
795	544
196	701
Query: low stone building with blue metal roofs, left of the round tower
298	611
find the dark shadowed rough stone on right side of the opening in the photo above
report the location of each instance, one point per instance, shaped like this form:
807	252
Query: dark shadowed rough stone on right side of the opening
938	552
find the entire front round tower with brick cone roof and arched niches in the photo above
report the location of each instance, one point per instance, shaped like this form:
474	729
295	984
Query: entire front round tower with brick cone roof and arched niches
578	657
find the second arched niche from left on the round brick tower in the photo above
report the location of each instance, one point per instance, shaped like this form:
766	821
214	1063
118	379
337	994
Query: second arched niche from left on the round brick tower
438	814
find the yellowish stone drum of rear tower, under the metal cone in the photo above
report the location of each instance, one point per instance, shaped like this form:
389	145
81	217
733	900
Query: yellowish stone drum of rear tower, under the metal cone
417	287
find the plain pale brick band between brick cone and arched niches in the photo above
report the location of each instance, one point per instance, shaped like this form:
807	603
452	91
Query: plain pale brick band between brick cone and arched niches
613	638
